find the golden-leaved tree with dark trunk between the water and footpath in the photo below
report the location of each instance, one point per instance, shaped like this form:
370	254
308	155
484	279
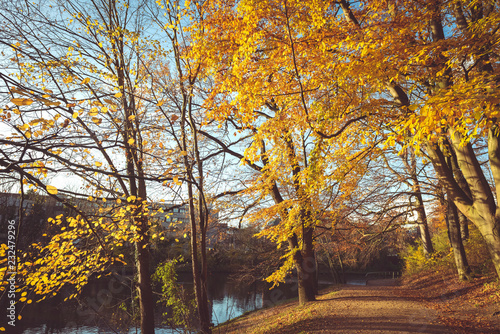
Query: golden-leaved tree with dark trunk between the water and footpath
273	82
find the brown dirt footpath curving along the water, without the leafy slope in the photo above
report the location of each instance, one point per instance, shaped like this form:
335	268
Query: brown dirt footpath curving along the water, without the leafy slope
380	307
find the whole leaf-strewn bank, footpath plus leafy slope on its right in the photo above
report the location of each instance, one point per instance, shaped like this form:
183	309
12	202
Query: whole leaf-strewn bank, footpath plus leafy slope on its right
382	306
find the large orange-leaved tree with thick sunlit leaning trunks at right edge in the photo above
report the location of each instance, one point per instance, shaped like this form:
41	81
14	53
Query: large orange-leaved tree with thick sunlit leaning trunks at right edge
437	61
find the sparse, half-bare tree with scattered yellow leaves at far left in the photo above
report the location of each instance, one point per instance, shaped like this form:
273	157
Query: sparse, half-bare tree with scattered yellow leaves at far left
78	105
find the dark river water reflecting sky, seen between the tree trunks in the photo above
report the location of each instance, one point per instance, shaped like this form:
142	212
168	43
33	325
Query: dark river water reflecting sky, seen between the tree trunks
105	306
